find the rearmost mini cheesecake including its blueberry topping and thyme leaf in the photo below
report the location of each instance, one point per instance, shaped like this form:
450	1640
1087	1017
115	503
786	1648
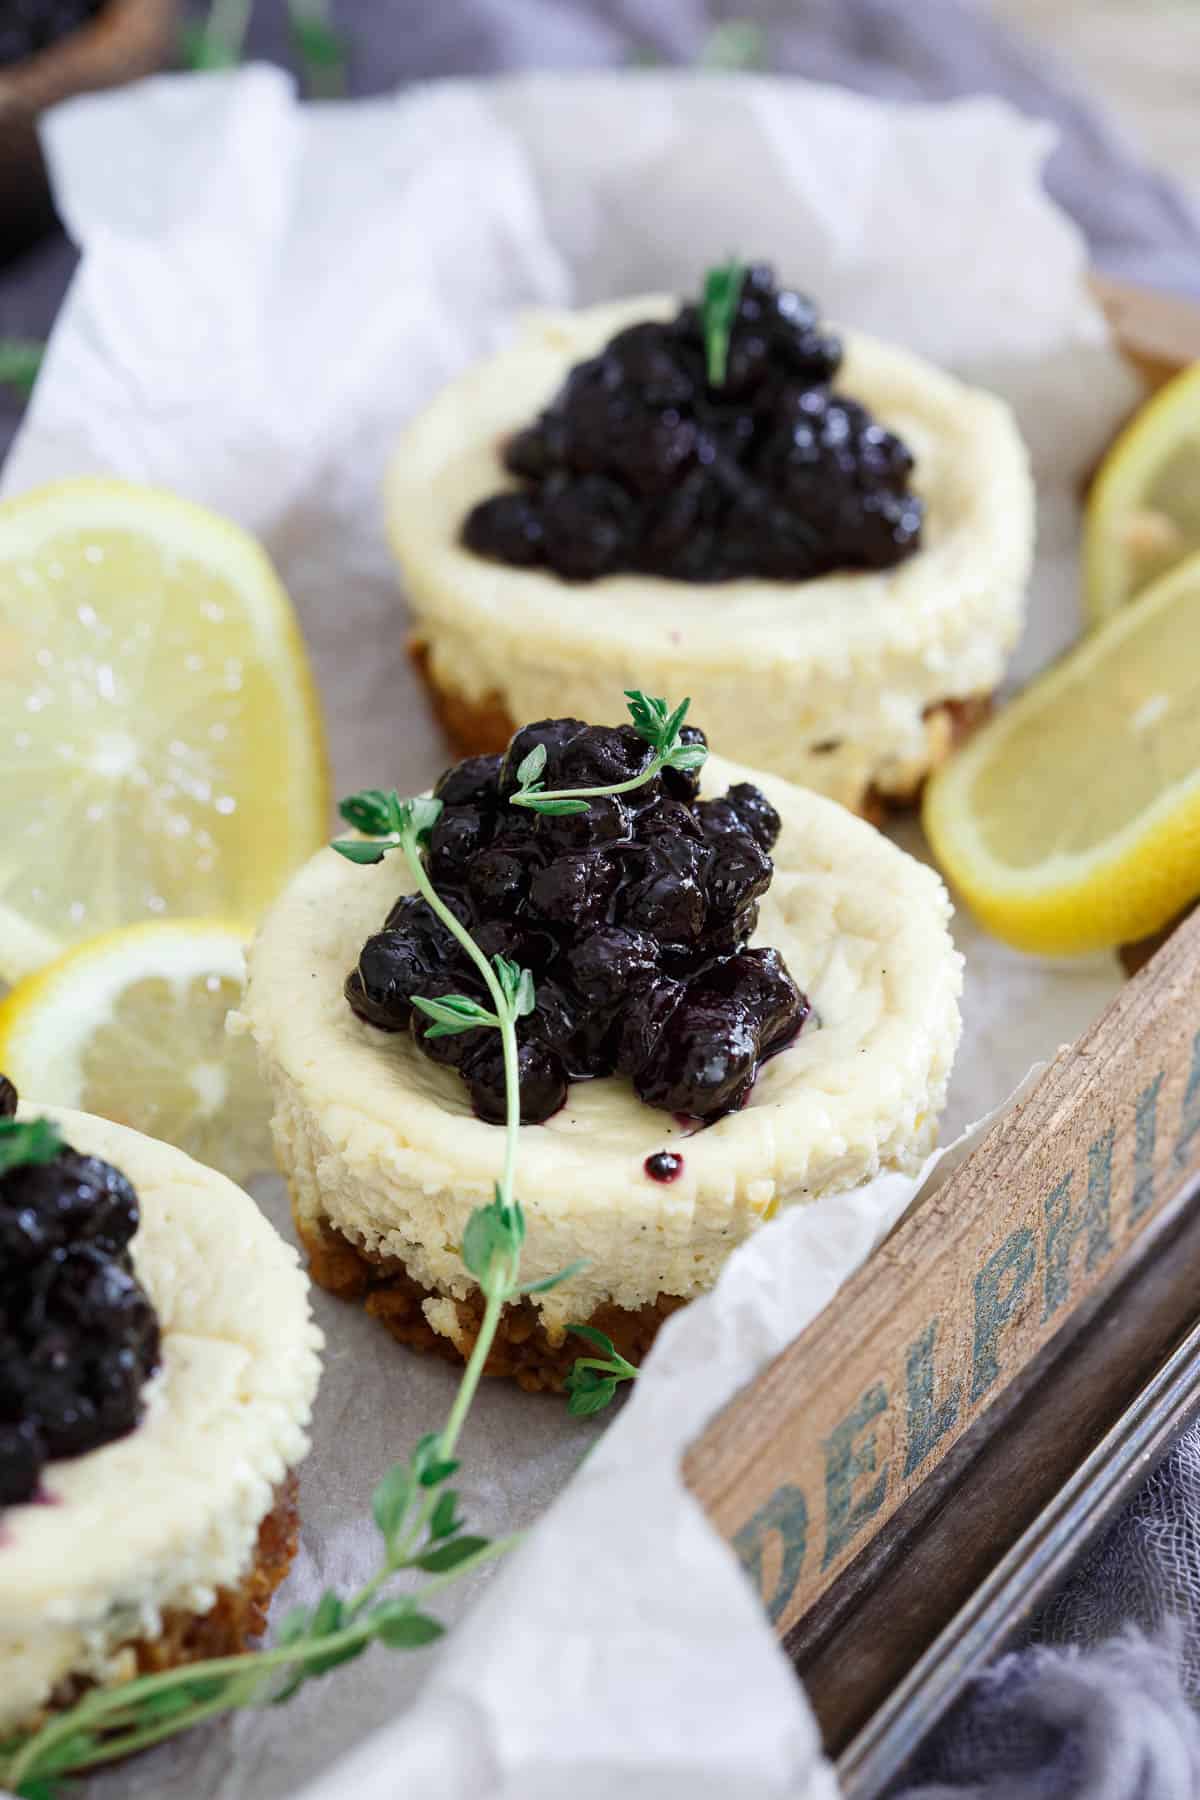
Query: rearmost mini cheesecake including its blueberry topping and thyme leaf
821	537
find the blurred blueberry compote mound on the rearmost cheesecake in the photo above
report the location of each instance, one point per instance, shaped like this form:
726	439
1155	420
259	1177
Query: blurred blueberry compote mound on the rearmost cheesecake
643	463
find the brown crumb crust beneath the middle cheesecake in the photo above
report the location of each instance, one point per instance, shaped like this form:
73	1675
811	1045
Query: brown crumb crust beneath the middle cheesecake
523	1351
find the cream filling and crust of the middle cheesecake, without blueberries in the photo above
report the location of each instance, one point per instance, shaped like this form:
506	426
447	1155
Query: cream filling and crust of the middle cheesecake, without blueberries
386	1158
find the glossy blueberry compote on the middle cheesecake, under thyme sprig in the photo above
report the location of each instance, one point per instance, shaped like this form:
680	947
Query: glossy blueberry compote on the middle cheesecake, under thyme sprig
632	917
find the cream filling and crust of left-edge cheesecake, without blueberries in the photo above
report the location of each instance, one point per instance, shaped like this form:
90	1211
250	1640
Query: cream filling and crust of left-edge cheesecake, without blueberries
168	1542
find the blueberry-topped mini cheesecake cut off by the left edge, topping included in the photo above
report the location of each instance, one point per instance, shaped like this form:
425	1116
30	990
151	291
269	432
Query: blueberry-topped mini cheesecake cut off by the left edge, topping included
157	1371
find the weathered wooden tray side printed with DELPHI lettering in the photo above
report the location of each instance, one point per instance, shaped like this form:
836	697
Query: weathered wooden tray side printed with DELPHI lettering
810	1461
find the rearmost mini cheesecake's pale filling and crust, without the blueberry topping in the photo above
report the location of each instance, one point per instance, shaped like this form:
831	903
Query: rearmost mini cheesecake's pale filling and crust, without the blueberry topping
854	683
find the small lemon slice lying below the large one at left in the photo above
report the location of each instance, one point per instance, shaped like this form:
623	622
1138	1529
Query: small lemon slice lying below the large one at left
132	1027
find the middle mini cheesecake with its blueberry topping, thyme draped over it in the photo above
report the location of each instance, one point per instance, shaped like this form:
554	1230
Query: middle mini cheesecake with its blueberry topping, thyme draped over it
740	998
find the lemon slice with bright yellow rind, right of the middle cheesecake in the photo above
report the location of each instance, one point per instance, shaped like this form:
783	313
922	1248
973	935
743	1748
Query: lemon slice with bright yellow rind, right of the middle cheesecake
1073	820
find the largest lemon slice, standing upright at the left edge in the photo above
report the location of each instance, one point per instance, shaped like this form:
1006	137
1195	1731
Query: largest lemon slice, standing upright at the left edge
161	744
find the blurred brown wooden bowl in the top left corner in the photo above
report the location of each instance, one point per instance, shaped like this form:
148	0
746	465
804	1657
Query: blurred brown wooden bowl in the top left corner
125	40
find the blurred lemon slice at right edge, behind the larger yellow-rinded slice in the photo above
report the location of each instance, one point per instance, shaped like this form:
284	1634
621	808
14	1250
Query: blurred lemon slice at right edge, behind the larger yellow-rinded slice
1143	514
